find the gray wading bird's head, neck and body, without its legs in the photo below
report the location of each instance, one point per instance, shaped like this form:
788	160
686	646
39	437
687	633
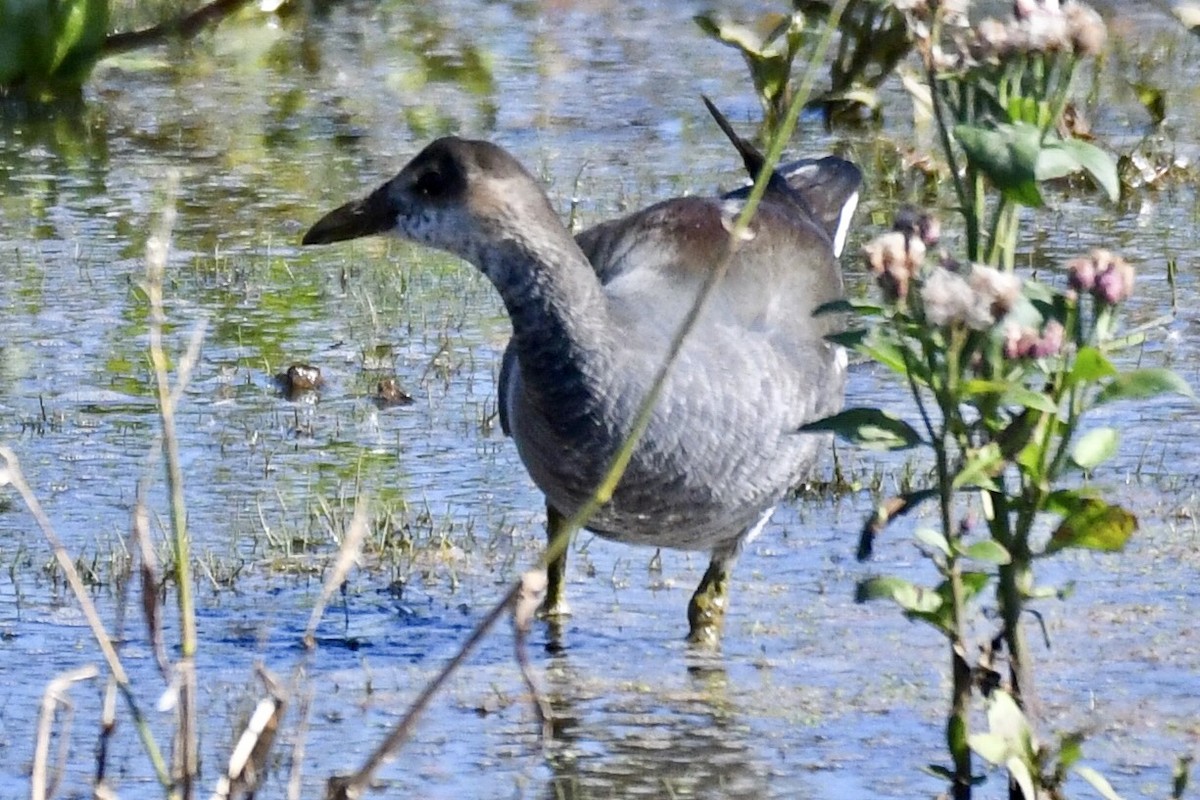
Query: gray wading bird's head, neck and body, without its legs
593	316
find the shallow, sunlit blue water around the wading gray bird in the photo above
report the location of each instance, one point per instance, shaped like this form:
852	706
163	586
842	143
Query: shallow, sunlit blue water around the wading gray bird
271	123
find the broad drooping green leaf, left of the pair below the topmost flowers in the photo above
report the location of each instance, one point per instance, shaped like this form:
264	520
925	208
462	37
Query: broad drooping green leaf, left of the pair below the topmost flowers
1007	155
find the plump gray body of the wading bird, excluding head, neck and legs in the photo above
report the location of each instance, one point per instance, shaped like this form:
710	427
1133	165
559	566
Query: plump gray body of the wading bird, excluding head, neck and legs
722	446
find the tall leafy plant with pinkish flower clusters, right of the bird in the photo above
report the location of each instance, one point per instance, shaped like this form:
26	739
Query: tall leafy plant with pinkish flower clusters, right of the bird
1003	370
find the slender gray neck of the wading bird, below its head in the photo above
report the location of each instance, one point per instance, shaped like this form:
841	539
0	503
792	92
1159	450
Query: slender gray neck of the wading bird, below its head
560	318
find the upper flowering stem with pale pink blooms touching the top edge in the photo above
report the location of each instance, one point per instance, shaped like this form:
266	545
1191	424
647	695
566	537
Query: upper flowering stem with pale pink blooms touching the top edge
1000	94
